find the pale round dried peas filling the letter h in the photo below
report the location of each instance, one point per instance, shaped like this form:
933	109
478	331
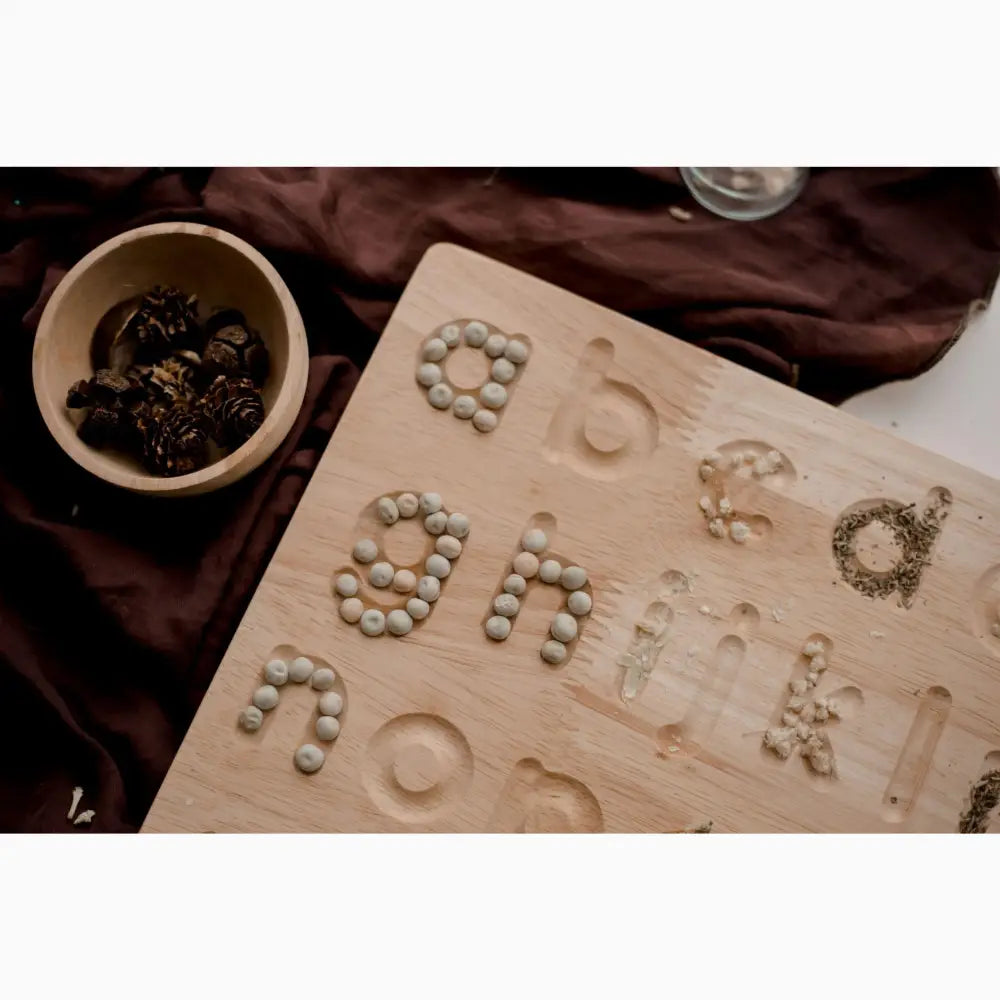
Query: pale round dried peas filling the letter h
526	566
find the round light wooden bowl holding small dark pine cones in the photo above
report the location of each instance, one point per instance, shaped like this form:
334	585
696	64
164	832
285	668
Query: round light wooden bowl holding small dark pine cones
222	271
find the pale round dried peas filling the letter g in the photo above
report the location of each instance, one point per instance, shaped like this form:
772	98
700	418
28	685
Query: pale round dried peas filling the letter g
418	593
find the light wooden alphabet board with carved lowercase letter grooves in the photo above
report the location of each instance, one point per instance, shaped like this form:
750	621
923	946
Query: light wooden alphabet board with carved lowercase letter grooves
445	730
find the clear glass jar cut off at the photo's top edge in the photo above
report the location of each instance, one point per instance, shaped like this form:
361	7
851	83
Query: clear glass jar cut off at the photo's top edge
745	192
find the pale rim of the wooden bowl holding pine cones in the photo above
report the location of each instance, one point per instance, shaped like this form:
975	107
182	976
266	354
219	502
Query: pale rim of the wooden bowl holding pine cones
277	423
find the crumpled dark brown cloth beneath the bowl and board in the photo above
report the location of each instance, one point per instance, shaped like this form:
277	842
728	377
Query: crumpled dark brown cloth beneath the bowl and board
115	609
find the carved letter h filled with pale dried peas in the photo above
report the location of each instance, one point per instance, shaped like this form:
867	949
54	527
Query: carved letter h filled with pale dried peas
536	565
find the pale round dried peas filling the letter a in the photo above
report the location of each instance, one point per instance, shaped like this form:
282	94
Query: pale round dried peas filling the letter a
480	408
